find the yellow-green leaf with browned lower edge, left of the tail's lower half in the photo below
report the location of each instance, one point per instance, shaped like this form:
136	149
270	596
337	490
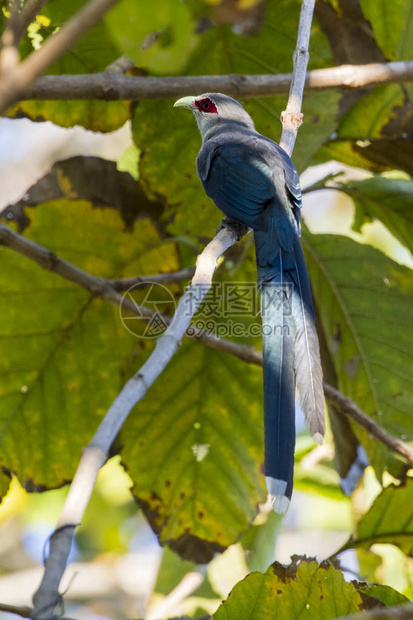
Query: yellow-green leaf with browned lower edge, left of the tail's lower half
194	449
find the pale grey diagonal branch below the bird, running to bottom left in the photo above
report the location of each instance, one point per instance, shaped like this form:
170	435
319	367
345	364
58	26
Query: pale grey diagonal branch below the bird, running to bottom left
96	453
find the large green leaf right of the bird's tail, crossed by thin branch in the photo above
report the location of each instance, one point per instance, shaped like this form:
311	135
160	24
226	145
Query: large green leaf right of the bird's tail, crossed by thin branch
365	302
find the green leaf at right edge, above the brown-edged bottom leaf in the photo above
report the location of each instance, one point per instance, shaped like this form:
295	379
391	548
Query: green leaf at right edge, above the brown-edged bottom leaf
389	520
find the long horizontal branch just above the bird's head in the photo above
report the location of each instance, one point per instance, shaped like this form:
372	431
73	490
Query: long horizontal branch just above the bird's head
110	86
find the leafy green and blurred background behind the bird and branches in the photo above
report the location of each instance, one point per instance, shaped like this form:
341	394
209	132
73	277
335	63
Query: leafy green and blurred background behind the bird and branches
178	516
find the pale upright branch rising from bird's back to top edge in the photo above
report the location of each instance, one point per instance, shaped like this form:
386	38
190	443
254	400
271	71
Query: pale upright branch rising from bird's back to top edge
292	117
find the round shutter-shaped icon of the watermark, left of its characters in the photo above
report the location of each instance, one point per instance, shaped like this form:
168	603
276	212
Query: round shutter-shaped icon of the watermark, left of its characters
157	299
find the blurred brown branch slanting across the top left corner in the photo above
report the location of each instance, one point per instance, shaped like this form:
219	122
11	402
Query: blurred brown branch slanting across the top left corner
17	79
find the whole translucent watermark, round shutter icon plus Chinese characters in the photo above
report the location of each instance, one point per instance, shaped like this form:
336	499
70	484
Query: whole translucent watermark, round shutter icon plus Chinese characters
226	309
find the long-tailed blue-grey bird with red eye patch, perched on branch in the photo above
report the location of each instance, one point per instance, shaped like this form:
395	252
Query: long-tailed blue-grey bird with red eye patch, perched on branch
253	181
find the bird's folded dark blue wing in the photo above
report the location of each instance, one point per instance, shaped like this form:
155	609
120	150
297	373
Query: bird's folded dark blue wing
237	179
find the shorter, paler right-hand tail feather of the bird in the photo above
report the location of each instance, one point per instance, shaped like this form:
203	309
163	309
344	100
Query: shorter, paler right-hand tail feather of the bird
307	363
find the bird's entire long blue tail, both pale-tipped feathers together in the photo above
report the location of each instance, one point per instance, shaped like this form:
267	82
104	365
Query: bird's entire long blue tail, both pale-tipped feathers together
291	356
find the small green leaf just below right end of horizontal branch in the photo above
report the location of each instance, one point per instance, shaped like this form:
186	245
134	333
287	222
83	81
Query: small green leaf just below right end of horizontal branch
366	118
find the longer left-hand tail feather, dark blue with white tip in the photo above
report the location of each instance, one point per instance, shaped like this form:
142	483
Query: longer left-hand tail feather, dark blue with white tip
279	389
